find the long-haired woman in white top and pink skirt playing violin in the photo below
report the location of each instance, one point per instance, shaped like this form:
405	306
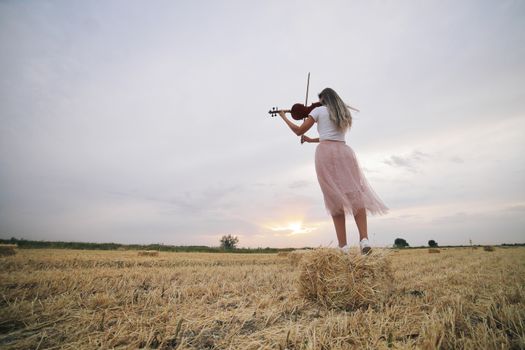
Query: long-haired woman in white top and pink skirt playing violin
344	187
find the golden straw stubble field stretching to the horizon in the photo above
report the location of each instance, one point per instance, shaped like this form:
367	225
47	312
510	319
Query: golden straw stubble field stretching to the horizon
459	299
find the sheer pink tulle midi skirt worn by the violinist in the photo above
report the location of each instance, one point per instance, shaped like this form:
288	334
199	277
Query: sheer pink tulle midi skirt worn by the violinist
342	181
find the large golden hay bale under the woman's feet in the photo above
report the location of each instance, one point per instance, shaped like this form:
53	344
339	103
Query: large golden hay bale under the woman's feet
346	281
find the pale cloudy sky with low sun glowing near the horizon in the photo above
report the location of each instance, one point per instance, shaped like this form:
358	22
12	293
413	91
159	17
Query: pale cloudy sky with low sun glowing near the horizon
146	121
